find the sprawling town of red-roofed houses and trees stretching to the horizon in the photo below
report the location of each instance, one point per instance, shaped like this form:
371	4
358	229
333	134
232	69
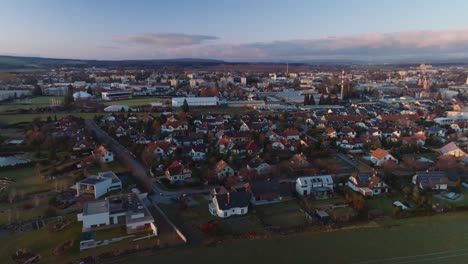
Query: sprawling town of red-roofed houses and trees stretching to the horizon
112	162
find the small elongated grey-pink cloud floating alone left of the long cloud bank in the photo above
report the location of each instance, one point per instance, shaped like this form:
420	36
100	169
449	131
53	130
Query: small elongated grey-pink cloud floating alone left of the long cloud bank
166	39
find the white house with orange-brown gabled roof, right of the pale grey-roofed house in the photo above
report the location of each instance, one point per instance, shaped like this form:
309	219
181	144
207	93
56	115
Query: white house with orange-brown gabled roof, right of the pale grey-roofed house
367	184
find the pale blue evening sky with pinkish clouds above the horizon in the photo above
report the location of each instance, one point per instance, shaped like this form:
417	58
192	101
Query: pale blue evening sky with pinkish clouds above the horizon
242	30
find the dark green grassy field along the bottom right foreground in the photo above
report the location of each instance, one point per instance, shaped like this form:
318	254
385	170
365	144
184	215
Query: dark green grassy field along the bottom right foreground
437	239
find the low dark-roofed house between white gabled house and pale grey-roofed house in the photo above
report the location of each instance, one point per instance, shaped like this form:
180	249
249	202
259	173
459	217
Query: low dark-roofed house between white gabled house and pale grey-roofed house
265	192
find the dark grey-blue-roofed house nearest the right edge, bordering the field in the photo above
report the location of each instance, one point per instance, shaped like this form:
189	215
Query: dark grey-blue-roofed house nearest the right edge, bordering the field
431	180
